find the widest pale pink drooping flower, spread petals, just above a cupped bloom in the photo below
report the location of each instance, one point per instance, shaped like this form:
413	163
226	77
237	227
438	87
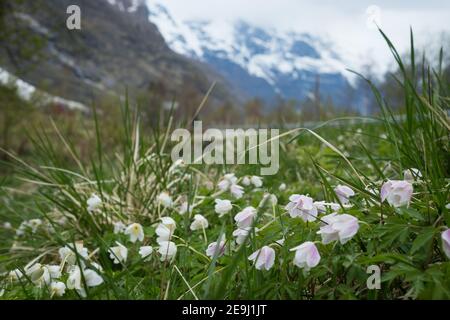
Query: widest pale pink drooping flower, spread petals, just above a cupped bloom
340	227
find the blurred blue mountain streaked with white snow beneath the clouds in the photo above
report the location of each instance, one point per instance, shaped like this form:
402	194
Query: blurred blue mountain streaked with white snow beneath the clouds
261	62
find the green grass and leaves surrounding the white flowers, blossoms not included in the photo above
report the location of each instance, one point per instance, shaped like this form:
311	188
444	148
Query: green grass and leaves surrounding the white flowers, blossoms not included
404	242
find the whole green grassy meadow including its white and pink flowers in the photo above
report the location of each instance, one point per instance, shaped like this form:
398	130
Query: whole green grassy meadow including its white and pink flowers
103	213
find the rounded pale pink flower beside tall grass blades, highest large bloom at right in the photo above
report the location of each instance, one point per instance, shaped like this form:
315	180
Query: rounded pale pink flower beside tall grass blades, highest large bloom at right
397	192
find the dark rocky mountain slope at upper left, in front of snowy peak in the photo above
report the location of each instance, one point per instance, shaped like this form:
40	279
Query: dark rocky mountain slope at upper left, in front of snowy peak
117	48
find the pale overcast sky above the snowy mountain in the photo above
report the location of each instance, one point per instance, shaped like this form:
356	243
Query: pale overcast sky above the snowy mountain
342	21
